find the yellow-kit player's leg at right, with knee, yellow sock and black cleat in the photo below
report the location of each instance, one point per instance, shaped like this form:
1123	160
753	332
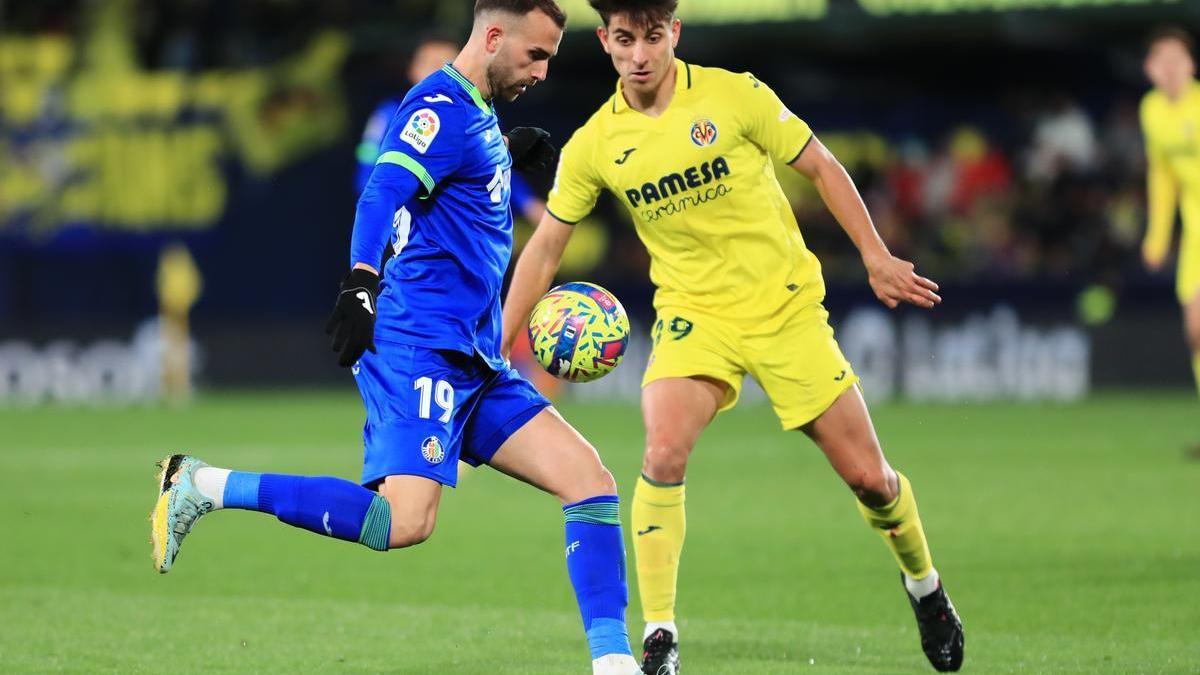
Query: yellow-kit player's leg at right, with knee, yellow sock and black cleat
847	437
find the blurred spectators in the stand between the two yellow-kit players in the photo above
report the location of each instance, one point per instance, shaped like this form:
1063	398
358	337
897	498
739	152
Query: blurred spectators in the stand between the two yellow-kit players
1060	195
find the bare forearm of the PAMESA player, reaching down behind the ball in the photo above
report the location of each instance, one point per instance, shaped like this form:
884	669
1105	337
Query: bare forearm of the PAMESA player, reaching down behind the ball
535	271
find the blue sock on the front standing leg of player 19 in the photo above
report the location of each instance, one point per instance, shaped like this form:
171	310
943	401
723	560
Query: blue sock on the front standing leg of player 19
596	561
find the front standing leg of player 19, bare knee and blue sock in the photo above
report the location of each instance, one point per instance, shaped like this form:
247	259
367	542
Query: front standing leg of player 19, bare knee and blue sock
550	455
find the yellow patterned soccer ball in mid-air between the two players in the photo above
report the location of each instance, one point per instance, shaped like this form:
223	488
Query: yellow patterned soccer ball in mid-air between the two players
579	332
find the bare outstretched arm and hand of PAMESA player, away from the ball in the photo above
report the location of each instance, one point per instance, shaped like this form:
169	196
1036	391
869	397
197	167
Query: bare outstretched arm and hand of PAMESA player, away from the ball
893	280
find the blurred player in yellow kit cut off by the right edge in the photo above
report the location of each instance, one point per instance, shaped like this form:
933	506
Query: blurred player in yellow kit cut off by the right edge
1171	122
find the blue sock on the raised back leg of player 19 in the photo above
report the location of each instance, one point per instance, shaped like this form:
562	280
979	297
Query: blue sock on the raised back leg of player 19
327	506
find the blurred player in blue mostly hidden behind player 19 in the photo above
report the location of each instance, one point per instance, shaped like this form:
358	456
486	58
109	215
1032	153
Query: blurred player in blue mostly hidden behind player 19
430	56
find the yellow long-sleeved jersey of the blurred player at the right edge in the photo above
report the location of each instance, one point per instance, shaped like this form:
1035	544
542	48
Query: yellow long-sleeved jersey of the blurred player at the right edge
1173	153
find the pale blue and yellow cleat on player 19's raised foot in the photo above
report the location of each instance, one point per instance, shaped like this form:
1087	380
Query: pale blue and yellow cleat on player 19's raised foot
179	506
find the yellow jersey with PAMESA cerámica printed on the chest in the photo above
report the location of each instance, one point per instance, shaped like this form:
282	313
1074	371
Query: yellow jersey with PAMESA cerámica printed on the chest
703	193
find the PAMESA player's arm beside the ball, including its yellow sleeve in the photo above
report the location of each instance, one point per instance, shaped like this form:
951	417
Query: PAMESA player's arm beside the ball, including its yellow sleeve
572	200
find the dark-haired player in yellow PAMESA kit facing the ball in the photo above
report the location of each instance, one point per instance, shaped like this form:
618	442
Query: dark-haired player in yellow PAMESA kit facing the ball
689	151
